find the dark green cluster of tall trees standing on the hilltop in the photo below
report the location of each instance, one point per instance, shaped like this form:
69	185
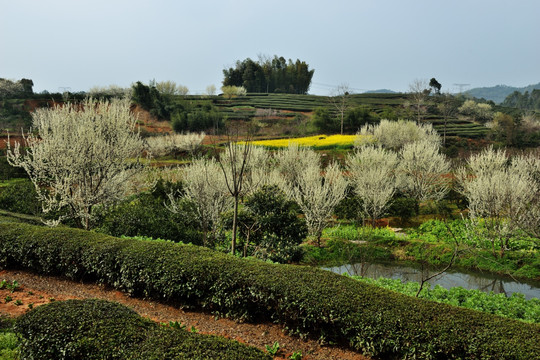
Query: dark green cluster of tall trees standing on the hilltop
267	75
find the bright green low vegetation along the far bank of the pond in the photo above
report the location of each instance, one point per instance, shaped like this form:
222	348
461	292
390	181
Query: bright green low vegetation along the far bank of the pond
430	244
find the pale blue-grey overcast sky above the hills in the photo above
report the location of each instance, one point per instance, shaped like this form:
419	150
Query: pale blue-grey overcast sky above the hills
367	44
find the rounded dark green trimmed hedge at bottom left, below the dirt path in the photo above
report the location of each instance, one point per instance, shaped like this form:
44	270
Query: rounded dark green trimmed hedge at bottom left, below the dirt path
99	329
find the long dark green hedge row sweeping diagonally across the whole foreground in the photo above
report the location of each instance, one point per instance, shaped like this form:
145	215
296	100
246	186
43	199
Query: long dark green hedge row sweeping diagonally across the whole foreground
307	300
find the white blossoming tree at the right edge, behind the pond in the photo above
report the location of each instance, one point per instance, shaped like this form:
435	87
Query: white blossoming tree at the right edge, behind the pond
502	195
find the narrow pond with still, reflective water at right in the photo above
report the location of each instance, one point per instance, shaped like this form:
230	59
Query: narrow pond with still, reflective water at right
468	280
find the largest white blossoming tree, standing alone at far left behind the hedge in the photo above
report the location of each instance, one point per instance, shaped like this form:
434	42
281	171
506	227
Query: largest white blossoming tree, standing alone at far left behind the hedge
80	155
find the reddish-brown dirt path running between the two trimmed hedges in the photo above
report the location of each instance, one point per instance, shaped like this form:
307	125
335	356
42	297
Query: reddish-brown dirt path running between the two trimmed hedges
36	290
